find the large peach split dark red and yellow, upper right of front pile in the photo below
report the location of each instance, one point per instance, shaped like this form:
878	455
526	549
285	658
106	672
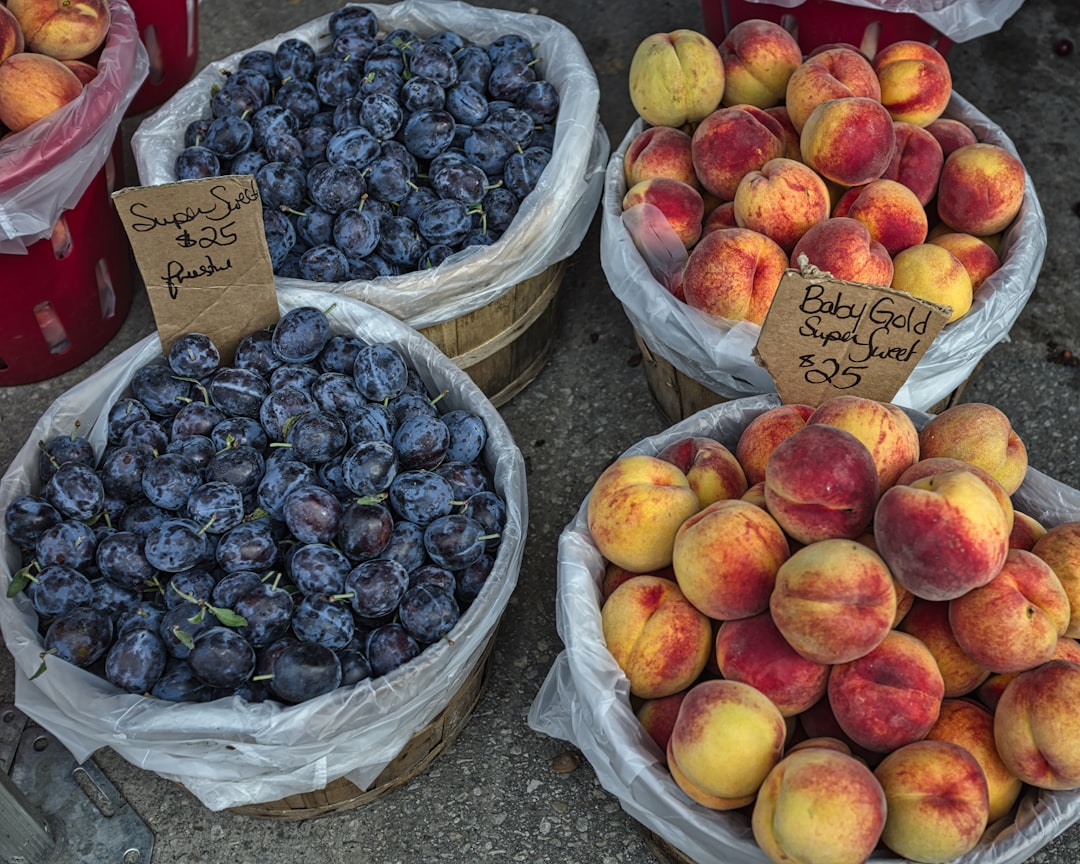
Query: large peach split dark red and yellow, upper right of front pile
943	535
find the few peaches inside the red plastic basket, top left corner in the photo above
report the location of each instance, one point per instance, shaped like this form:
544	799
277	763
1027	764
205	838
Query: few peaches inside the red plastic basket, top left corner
47	56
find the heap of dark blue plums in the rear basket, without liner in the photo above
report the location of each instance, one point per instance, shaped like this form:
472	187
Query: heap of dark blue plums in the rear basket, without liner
381	155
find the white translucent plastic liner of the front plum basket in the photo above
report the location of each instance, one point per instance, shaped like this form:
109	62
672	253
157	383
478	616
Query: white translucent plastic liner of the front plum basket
231	753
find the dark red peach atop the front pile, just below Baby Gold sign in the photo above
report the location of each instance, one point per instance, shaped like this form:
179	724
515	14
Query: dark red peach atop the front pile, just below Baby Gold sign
821	483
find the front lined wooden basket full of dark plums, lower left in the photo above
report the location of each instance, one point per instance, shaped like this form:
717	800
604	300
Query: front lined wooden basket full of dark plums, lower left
206	559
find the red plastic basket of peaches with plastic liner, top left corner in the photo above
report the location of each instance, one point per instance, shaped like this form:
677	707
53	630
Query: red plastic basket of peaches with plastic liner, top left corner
69	73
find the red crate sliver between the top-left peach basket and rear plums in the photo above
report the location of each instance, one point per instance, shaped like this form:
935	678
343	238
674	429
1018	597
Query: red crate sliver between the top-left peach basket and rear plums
170	31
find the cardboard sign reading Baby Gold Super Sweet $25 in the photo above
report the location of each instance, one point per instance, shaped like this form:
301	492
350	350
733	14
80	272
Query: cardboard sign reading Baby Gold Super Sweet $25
825	337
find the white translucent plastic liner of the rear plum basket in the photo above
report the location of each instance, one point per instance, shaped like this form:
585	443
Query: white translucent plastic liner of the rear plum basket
553	219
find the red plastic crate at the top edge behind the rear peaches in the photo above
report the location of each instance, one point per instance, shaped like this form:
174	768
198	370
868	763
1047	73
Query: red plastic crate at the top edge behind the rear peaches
817	23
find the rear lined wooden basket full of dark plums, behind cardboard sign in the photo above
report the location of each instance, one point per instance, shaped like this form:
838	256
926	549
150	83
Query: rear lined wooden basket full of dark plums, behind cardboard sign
428	158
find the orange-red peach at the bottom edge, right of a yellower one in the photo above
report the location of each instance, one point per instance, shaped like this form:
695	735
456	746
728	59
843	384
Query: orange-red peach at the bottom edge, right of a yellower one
937	799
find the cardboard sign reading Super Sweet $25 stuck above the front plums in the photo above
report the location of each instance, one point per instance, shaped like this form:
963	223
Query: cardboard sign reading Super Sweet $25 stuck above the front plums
204	256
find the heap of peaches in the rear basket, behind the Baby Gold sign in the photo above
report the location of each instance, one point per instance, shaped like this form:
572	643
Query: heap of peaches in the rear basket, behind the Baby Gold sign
758	157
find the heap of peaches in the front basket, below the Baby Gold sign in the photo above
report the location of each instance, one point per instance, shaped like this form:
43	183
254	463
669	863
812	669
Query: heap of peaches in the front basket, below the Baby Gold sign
844	628
